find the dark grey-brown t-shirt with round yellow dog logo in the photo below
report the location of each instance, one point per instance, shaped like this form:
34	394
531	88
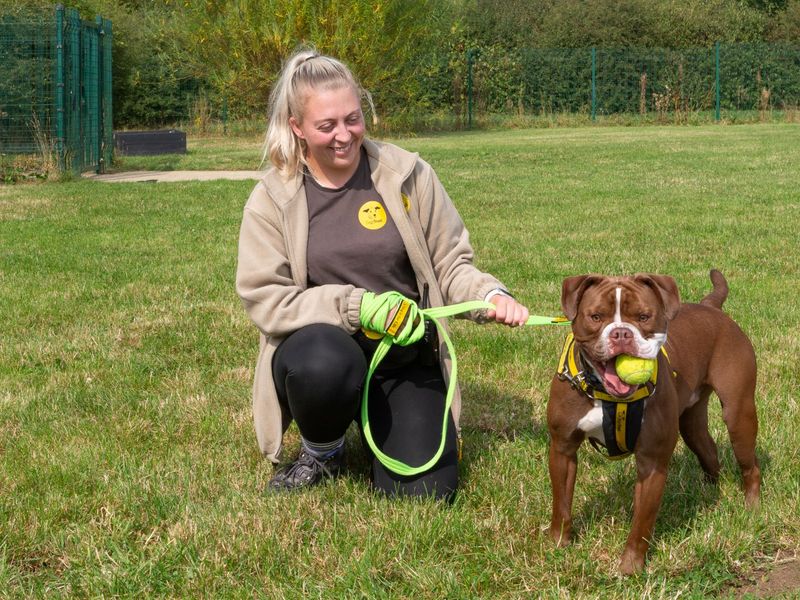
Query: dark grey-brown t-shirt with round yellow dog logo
352	239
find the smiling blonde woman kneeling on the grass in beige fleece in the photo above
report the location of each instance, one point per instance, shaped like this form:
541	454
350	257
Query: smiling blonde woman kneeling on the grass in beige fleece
337	235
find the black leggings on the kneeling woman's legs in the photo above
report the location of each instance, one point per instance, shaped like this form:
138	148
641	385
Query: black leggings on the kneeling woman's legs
319	374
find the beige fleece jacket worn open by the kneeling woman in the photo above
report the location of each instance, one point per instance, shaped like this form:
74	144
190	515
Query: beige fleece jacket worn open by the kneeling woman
271	276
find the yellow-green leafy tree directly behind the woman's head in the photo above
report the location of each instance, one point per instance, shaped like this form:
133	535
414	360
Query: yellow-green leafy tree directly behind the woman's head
241	44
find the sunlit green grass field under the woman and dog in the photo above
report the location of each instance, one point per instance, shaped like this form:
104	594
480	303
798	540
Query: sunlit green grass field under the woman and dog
128	463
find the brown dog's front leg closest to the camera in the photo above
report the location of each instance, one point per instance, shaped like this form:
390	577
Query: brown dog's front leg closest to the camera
650	482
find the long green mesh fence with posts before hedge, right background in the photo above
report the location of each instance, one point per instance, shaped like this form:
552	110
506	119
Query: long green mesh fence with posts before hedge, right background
607	81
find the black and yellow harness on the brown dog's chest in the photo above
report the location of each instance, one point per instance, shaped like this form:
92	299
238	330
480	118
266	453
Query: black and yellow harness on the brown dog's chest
622	417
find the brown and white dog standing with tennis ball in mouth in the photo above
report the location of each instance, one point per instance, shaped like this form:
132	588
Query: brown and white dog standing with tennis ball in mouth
704	351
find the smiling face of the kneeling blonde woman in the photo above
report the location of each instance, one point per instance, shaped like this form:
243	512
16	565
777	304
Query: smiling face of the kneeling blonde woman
333	128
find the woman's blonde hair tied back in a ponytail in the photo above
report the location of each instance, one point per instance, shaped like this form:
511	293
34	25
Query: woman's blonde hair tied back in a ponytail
303	72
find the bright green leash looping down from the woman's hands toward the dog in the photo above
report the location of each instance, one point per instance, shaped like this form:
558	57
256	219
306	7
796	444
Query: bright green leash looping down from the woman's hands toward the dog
431	314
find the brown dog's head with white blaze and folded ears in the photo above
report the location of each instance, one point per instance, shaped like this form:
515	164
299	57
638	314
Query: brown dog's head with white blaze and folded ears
619	315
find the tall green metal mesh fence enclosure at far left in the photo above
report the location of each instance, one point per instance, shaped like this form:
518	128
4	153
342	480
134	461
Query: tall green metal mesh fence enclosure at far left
55	89
